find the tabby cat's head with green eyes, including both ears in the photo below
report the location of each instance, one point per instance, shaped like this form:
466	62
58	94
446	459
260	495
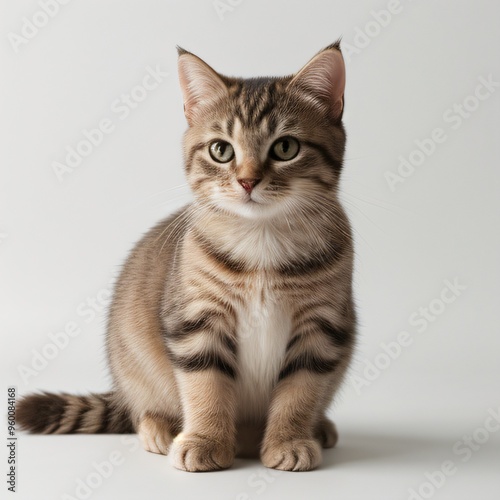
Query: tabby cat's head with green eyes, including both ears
264	146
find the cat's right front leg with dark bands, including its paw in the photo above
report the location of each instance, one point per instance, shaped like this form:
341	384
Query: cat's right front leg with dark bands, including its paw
314	365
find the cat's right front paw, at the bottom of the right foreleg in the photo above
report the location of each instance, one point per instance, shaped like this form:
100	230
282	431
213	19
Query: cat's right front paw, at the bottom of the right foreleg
293	455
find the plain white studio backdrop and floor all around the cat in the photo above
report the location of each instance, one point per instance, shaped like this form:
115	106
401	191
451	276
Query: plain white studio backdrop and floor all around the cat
420	183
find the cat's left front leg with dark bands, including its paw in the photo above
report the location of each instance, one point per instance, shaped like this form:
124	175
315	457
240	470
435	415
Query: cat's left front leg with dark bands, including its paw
204	356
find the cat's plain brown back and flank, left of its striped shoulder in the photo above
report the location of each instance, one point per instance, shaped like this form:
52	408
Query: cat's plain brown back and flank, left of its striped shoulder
134	343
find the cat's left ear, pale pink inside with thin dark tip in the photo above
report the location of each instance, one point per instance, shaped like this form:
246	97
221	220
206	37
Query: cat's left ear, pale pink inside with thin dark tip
201	86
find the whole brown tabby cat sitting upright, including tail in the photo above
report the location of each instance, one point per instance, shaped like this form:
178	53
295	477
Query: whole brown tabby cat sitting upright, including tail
233	321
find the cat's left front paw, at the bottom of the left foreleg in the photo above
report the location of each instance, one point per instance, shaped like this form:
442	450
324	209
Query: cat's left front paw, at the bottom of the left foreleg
194	453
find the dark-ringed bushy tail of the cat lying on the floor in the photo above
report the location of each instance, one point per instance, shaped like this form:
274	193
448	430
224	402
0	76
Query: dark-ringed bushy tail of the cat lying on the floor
48	413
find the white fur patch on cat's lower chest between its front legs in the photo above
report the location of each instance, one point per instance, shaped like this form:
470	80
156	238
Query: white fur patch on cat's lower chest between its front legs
263	332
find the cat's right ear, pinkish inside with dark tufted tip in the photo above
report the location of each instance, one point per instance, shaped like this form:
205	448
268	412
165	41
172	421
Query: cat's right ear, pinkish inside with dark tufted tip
323	77
